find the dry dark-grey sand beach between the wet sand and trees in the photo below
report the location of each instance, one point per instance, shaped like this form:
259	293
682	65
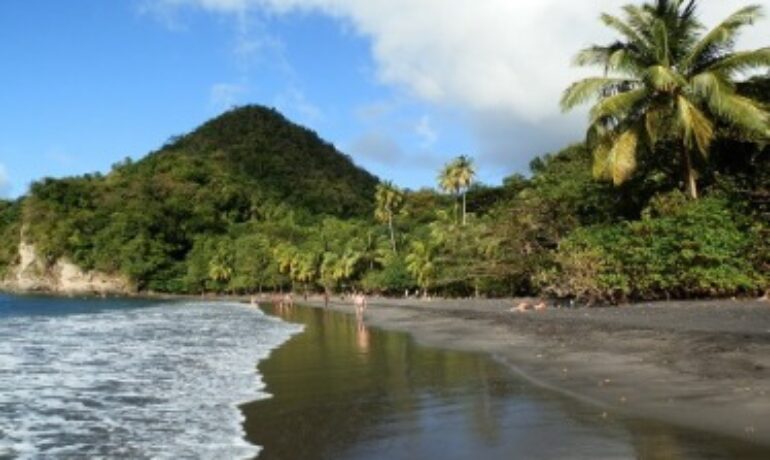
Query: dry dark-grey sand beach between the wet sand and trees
700	365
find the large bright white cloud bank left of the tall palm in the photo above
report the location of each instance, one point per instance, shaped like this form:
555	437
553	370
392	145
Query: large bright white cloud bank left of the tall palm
503	62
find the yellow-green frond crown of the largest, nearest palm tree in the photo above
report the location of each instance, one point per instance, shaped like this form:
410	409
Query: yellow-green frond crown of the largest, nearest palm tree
667	81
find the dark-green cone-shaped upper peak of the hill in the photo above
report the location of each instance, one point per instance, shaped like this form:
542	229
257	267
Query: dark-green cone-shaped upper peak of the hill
261	150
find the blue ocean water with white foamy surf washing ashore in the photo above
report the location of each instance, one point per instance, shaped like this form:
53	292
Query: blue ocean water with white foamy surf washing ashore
92	378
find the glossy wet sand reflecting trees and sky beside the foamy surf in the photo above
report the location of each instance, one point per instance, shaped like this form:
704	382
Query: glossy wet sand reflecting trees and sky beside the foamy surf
345	391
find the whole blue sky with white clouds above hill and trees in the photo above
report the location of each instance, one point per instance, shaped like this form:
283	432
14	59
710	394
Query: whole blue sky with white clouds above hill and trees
402	86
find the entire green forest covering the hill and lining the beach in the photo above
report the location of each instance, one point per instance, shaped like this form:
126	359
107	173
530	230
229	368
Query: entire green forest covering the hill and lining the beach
250	202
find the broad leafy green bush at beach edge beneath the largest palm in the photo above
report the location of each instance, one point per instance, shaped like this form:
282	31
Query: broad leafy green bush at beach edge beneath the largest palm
680	249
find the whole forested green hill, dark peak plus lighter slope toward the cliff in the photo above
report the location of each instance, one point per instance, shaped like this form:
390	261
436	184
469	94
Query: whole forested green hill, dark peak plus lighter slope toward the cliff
143	218
